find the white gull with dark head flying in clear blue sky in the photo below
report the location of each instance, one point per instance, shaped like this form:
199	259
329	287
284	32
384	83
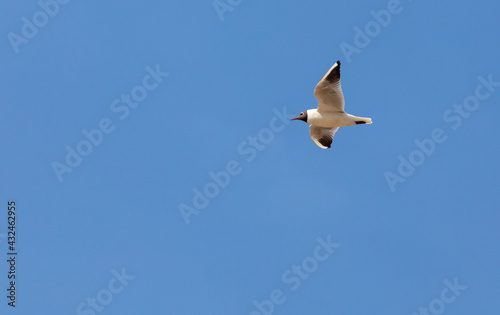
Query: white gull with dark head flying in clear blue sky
330	114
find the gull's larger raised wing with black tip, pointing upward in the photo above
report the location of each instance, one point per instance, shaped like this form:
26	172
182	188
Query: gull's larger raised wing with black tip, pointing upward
329	92
